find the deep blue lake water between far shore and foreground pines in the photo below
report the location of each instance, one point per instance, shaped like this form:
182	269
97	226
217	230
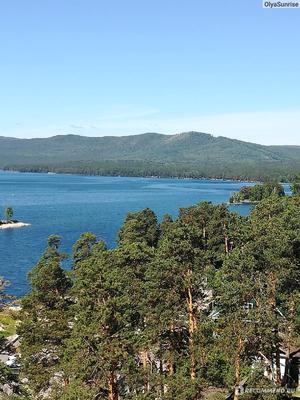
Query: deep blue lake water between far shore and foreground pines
68	205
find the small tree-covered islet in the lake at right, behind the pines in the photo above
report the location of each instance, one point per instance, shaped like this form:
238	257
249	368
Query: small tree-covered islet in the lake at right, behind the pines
256	193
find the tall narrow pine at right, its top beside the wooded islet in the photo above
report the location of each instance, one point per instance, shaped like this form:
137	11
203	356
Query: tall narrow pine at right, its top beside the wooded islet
271	249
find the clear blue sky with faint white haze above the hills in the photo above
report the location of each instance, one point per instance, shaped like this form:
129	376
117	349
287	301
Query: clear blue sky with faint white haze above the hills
116	67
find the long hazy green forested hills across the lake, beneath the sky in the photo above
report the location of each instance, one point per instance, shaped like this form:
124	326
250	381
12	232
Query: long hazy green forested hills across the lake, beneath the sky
185	154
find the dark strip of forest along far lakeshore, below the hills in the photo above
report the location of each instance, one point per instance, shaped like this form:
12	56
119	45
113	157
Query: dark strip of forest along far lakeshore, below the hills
283	171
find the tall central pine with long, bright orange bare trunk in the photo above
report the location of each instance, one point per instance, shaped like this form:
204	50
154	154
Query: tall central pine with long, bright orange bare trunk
175	285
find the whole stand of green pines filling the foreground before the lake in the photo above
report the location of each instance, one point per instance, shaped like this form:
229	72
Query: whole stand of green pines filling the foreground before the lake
206	300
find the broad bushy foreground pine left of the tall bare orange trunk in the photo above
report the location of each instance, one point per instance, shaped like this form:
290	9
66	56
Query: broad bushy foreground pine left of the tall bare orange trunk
101	353
